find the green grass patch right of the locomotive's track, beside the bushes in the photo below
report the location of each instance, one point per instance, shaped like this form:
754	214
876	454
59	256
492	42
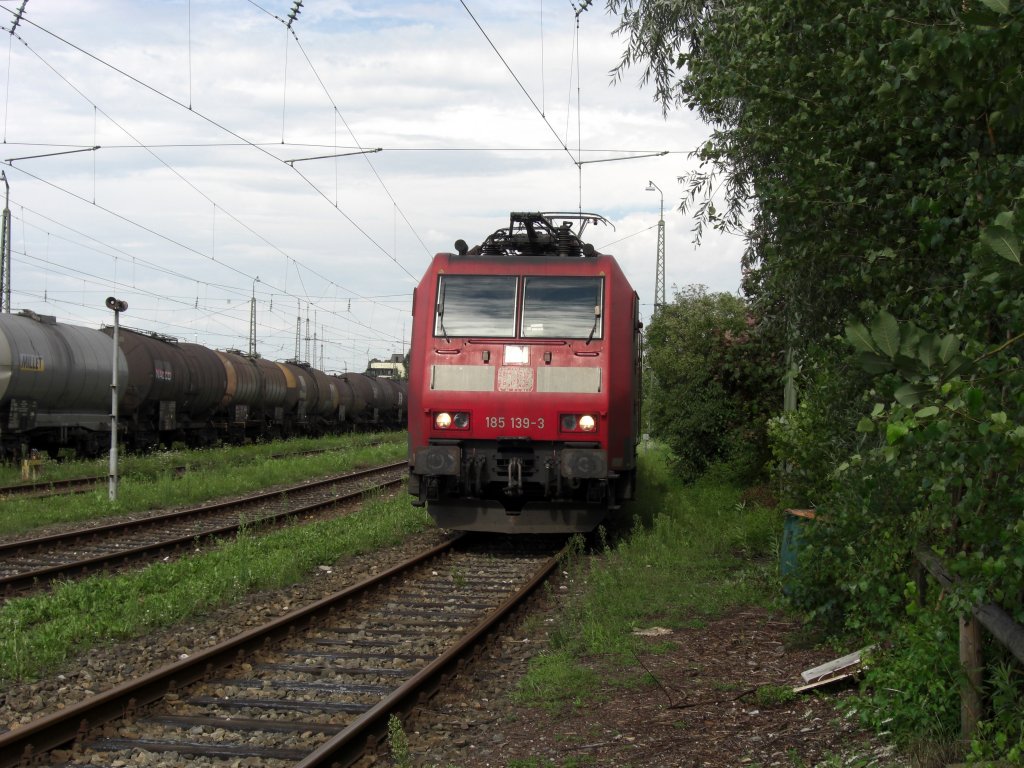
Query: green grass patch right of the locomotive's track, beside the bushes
703	552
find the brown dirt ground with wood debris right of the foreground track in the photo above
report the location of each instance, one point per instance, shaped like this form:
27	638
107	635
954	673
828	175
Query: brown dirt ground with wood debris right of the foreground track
699	707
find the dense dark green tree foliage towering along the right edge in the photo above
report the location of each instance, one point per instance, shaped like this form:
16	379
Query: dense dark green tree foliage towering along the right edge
873	154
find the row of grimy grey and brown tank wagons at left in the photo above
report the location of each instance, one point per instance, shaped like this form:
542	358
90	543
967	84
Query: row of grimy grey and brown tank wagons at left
56	393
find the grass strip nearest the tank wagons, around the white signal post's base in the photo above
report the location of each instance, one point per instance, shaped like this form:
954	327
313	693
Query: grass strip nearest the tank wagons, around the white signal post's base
151	482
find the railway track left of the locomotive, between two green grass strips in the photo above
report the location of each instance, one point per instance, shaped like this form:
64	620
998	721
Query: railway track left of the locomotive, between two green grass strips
29	564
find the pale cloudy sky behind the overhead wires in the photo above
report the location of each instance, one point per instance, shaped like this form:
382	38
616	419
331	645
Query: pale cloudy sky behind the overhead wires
172	152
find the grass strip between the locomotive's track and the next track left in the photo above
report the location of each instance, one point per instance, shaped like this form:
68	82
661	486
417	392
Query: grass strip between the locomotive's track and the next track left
38	633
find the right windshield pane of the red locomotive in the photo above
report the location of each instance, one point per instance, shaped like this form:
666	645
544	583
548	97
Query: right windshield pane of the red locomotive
563	308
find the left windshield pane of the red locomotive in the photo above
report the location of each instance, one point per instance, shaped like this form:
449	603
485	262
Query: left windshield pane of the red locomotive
476	306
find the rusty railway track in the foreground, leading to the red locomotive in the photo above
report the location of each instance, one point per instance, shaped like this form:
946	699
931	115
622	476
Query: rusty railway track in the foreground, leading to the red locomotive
311	689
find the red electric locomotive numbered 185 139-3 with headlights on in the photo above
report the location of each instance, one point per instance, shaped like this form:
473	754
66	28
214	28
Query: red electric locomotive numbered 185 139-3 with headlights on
525	381
